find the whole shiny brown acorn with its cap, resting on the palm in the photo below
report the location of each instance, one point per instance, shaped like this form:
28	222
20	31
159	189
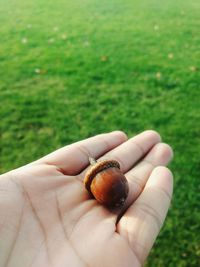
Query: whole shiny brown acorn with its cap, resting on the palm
106	182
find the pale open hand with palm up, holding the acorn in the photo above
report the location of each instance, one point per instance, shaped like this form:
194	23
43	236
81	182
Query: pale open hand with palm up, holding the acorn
47	218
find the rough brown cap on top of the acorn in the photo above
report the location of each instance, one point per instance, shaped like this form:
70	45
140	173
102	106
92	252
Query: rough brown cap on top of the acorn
96	168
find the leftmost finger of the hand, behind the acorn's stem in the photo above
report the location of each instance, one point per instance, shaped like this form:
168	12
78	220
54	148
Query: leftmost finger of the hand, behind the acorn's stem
73	158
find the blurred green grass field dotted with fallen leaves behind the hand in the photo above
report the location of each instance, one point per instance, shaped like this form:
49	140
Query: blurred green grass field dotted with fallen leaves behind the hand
72	69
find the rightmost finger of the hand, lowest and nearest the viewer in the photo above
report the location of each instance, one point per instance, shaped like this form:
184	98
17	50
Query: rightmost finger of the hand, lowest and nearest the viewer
141	223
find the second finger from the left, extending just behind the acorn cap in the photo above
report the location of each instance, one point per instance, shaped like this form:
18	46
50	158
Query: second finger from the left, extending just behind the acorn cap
128	153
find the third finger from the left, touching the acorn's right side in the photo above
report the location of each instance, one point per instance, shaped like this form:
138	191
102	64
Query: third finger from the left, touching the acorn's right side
160	155
